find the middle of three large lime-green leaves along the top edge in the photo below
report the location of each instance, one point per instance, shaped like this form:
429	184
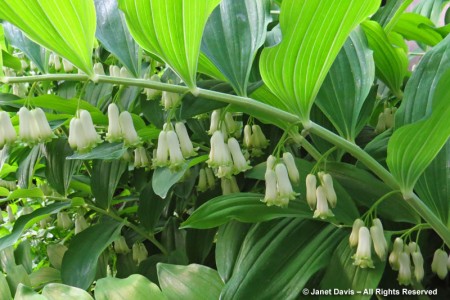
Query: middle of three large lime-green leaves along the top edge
171	30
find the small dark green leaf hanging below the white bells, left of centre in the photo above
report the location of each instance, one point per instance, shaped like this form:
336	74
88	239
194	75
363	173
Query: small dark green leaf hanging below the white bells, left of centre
104	180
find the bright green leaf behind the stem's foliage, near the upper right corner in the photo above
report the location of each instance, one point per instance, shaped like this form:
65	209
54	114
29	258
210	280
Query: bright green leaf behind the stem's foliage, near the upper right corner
391	63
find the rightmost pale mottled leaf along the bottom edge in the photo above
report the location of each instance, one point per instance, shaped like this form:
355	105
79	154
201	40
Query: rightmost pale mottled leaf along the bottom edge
189	282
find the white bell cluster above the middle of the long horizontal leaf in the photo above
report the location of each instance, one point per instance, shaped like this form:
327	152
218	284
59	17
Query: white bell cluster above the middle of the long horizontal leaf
278	176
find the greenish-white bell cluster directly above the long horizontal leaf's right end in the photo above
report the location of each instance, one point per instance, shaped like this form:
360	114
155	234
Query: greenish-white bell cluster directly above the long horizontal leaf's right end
321	196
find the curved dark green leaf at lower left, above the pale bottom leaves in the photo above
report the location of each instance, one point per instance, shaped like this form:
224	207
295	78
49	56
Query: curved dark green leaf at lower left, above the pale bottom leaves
79	269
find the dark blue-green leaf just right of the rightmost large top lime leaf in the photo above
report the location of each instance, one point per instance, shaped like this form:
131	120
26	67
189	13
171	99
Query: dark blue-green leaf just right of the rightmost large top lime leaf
347	86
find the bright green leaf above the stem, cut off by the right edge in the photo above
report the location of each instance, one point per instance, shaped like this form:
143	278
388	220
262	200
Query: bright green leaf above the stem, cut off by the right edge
412	148
